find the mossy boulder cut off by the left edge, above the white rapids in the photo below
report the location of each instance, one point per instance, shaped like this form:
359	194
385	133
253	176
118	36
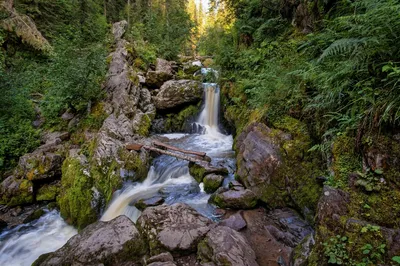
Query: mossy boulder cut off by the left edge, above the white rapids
14	191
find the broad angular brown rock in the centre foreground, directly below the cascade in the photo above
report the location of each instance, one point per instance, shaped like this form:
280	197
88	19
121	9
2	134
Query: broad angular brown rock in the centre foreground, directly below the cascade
177	228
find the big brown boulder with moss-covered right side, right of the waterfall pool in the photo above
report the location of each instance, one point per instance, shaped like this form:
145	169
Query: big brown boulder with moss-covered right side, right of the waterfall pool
275	164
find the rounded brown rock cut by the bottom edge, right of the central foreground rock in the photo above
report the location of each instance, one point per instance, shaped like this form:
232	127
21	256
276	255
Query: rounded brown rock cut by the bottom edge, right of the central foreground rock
225	246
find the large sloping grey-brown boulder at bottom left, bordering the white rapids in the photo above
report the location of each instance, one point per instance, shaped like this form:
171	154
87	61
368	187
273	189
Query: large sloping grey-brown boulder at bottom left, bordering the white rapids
116	242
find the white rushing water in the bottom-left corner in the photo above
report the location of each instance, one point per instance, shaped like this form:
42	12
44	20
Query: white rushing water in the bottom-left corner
23	244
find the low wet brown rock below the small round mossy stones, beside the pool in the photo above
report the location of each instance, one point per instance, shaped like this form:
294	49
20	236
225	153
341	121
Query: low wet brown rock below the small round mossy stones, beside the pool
233	199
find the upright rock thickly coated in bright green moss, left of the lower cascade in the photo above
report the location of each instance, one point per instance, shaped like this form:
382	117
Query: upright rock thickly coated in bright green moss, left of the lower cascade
76	194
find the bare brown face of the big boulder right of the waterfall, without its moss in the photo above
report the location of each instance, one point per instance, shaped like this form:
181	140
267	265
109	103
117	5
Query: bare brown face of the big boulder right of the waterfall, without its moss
258	156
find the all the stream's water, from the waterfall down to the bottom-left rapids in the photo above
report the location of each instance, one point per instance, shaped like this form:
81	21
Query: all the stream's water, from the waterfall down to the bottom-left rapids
168	178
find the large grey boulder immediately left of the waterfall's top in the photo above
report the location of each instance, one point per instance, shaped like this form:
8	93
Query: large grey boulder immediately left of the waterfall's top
175	93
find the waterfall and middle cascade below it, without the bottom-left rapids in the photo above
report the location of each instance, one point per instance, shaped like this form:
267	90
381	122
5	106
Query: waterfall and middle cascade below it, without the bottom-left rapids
168	172
